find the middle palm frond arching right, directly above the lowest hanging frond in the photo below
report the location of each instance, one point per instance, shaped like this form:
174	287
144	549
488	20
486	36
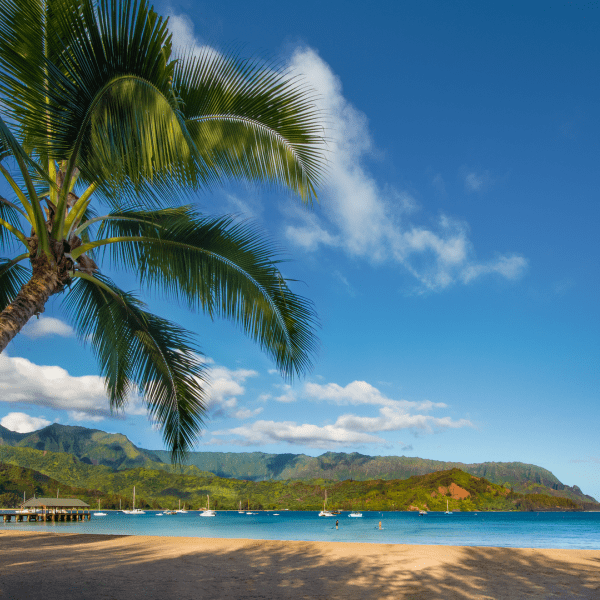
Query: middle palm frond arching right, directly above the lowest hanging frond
224	268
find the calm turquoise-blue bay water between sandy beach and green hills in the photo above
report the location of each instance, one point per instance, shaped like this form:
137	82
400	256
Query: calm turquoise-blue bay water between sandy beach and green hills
509	529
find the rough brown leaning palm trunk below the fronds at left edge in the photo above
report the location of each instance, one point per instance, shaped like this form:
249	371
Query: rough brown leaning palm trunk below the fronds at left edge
30	301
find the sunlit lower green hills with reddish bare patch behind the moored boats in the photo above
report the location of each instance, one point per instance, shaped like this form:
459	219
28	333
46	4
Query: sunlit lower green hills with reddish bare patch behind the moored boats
163	488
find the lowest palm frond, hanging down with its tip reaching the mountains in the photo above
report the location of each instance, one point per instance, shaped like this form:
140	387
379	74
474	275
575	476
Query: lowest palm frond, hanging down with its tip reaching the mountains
141	352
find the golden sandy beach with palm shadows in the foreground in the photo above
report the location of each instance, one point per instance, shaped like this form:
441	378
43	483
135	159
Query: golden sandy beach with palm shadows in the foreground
72	566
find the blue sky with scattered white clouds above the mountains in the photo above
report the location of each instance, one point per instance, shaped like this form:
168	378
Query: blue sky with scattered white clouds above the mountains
453	258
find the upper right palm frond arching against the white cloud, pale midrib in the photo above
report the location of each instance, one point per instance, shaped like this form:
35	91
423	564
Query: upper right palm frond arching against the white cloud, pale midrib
252	120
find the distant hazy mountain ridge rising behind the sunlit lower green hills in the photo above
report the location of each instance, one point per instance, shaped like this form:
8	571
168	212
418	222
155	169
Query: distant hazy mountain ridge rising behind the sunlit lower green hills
117	452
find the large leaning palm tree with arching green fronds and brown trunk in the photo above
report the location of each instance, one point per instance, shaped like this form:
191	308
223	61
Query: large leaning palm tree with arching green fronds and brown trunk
101	135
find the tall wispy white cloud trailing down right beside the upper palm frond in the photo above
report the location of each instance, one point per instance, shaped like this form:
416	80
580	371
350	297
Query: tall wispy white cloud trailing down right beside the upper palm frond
373	221
